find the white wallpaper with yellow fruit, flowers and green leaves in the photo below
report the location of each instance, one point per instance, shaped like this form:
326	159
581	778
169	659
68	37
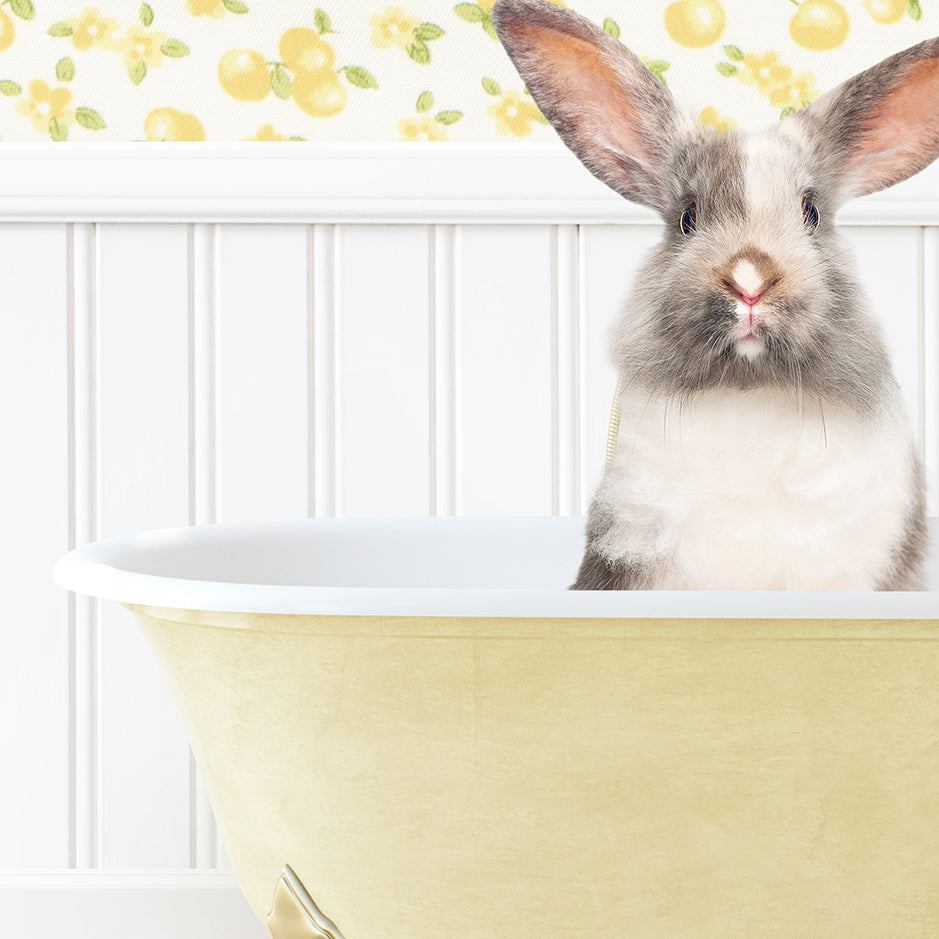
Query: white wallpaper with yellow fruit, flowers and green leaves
374	70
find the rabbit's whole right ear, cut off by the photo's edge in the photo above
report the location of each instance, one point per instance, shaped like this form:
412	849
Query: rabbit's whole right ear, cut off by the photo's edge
881	126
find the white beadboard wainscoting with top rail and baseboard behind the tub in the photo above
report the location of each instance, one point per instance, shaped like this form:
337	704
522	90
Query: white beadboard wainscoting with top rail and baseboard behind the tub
201	333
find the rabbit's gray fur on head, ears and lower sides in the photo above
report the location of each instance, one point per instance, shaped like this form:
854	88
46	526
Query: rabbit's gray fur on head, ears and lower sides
676	335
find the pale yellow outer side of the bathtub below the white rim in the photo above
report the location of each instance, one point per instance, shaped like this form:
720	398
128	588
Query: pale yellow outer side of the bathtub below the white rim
503	787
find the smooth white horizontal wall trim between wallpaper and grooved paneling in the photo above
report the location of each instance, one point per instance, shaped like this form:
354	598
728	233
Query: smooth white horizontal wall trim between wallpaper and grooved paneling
364	182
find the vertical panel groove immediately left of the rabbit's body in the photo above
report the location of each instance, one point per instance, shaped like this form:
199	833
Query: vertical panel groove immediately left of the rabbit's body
565	422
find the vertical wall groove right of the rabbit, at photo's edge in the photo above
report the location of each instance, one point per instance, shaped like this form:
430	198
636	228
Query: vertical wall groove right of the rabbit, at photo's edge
930	364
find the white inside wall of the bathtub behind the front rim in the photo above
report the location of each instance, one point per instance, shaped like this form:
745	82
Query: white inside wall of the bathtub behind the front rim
537	553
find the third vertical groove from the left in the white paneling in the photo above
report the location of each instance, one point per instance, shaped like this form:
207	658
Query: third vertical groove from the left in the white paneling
324	404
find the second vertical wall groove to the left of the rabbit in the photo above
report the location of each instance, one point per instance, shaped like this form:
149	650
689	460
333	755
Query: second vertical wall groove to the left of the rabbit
443	388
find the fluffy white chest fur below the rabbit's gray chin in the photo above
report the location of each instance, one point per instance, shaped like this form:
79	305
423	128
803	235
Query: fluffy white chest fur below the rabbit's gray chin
750	490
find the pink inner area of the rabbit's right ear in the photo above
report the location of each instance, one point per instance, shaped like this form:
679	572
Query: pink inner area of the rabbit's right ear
903	136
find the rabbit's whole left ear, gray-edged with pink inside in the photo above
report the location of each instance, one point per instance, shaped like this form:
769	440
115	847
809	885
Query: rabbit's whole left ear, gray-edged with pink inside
607	106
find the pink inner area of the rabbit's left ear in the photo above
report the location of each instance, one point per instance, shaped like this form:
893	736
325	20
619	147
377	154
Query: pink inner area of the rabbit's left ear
585	81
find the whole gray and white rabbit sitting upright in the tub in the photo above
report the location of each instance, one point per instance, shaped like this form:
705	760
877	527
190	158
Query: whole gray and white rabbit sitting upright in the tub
763	442
